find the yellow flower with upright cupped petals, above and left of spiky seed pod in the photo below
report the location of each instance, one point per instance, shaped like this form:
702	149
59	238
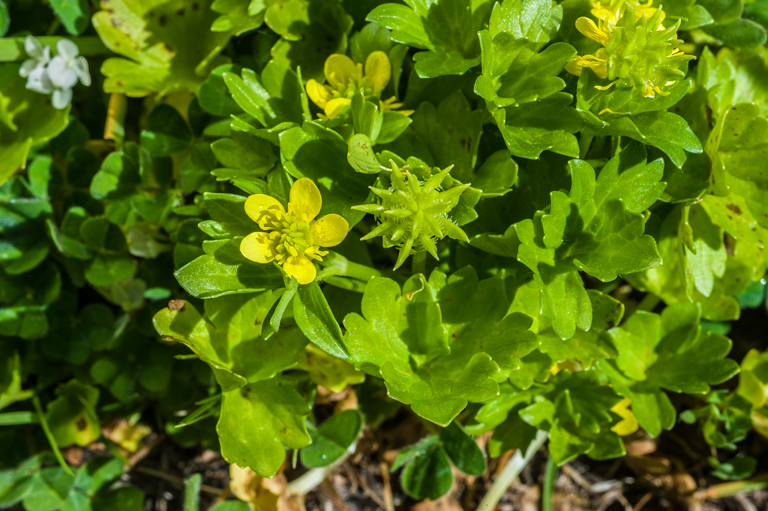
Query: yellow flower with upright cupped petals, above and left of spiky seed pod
344	79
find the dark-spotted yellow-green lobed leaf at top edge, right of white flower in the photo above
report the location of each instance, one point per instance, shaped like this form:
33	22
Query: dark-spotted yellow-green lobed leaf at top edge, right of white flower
154	37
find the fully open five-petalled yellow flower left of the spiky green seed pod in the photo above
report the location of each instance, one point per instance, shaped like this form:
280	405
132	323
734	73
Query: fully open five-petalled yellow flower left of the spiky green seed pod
292	239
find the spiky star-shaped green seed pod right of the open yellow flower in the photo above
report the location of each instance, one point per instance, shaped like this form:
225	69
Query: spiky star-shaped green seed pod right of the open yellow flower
413	214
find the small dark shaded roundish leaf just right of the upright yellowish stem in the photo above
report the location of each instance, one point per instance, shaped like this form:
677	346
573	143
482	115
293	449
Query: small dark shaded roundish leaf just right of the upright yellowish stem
166	132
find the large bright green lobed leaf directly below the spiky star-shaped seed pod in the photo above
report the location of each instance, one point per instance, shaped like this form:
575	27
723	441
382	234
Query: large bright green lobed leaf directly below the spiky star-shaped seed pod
438	344
